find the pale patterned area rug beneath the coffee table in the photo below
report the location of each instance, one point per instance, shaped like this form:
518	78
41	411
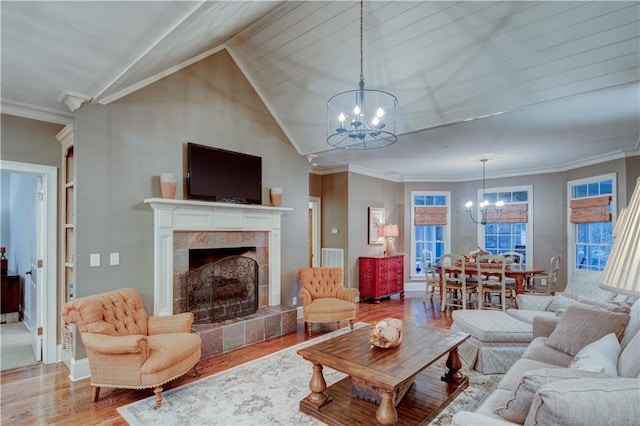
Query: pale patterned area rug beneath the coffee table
266	391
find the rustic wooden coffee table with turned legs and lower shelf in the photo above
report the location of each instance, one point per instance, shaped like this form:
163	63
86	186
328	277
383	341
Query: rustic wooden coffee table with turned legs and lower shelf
403	385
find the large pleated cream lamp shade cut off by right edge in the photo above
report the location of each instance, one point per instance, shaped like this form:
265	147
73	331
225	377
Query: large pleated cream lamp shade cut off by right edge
622	271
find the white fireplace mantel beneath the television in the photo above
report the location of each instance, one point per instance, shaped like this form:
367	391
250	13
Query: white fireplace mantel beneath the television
188	215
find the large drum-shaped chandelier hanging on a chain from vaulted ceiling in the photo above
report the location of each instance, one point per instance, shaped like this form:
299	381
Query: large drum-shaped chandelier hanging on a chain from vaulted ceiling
363	118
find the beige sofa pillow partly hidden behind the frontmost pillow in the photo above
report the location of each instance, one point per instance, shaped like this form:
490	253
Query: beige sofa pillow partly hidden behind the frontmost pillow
516	405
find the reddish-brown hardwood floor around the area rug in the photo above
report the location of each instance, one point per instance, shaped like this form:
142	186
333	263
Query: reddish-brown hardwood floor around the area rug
43	394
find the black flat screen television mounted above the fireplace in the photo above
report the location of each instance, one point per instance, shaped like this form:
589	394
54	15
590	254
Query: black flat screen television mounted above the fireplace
216	174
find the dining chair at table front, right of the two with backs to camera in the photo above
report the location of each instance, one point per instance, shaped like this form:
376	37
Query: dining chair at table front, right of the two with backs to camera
492	281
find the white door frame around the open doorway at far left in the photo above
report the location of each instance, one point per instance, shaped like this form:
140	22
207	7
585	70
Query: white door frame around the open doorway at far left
46	242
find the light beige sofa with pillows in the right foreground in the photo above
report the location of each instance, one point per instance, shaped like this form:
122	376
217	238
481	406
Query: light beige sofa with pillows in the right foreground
574	372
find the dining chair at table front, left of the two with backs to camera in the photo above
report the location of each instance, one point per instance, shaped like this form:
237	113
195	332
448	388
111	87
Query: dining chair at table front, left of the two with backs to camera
455	290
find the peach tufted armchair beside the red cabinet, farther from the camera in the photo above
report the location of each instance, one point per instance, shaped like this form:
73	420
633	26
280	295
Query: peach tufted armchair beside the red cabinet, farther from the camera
324	297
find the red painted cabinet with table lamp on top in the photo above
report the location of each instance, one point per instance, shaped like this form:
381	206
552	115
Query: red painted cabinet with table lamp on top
381	276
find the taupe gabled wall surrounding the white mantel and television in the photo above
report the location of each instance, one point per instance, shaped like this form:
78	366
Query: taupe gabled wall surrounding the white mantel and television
123	147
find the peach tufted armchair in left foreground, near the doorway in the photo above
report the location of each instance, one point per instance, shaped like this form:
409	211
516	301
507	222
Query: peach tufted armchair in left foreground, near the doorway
126	347
